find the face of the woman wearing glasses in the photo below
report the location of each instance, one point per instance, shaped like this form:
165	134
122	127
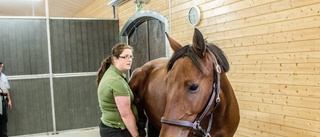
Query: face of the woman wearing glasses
124	61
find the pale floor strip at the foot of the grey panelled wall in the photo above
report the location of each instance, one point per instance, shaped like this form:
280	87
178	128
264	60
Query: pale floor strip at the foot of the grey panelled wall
87	132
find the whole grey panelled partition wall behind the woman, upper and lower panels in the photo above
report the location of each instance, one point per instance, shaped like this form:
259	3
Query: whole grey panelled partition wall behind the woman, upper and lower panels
77	48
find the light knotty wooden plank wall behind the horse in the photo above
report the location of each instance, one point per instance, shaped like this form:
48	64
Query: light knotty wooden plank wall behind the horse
274	52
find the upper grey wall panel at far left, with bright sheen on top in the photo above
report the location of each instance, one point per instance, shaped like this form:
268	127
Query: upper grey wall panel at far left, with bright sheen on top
23	46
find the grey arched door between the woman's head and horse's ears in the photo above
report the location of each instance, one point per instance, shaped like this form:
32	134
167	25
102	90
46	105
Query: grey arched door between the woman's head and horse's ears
148	41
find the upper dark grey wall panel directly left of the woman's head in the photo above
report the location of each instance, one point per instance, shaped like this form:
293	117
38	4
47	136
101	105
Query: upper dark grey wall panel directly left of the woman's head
80	45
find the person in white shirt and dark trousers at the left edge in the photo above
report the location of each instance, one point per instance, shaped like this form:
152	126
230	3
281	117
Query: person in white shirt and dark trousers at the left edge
5	102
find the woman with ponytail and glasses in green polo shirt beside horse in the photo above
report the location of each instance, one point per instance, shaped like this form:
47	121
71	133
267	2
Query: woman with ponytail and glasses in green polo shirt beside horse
119	114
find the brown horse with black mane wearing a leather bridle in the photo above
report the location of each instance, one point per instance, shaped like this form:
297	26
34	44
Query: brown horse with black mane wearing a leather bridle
188	92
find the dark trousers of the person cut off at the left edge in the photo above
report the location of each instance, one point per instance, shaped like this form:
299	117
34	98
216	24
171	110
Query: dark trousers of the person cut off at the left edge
4	119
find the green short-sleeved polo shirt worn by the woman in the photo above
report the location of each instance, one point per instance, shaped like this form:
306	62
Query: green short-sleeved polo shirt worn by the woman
113	84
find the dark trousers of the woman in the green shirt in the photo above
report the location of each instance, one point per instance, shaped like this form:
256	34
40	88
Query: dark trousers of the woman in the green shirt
106	131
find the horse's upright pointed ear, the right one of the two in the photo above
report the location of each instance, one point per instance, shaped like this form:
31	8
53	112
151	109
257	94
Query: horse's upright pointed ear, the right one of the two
199	43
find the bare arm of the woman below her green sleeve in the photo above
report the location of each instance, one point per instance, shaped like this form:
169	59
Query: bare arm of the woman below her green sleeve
124	106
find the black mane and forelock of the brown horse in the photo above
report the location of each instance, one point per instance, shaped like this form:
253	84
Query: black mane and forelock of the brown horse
189	52
